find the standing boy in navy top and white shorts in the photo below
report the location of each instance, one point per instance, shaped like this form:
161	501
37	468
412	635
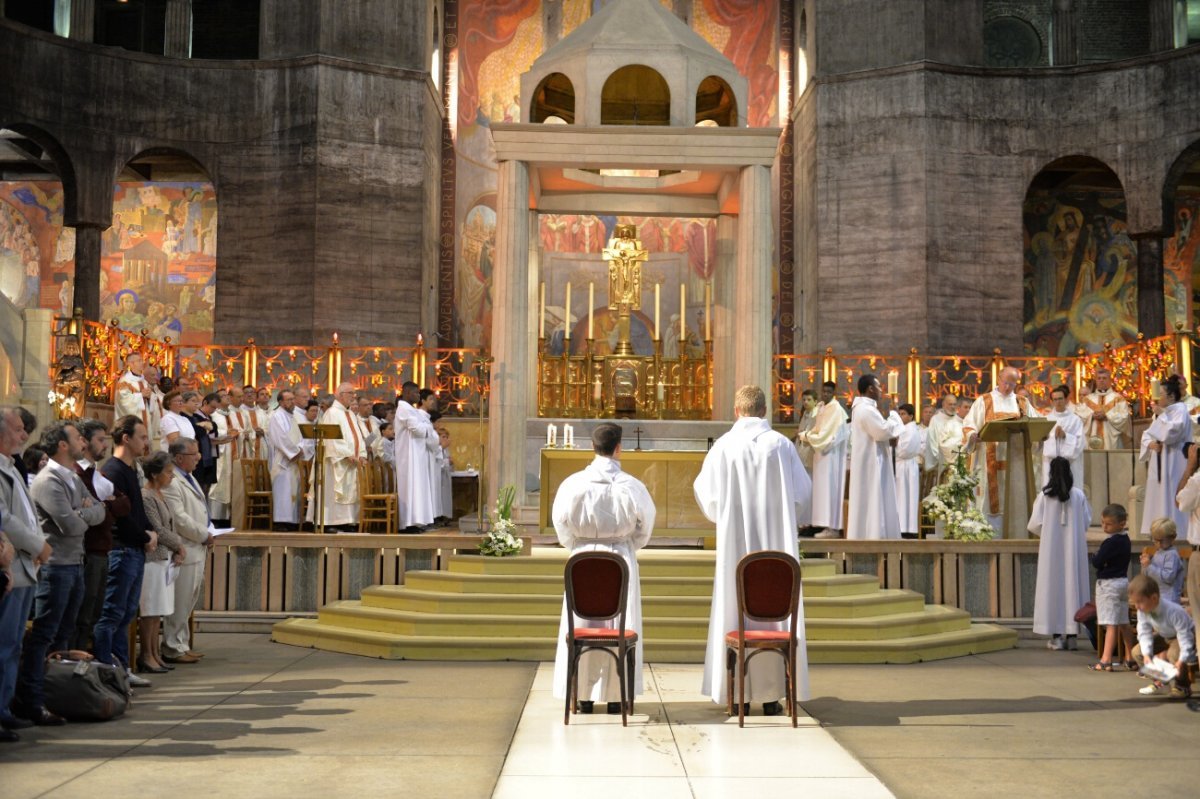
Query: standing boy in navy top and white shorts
1112	562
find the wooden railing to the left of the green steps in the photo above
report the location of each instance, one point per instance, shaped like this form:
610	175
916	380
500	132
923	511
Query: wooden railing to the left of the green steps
299	573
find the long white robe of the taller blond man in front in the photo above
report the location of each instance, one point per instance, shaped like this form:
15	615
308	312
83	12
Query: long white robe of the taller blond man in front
754	486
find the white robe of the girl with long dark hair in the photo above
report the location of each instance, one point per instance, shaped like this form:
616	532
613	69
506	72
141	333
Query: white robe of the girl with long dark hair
1064	585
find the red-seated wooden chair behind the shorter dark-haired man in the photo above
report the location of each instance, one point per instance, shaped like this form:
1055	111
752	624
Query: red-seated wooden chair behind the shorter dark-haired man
597	586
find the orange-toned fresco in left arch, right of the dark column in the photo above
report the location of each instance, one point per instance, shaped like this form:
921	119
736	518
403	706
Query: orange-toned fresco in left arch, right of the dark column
159	261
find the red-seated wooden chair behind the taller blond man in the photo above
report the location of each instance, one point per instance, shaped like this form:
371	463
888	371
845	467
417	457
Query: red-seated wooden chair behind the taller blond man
769	591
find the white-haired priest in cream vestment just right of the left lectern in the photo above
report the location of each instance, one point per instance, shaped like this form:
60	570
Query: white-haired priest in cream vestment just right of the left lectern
341	466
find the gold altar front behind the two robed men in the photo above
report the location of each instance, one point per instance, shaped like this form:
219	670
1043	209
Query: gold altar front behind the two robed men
668	476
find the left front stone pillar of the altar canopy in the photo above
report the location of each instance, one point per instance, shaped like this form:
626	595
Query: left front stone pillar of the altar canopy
511	340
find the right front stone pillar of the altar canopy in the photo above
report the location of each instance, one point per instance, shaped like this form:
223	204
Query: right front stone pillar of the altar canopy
752	296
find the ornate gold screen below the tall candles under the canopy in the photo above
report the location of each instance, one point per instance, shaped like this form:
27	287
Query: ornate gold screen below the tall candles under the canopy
591	386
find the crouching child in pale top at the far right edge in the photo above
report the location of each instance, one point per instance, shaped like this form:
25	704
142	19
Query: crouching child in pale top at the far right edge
1165	630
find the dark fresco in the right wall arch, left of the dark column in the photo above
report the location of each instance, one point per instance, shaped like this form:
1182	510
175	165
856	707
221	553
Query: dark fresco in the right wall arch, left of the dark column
1081	274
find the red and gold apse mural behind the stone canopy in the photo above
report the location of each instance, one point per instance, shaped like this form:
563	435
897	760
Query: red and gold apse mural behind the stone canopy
499	41
